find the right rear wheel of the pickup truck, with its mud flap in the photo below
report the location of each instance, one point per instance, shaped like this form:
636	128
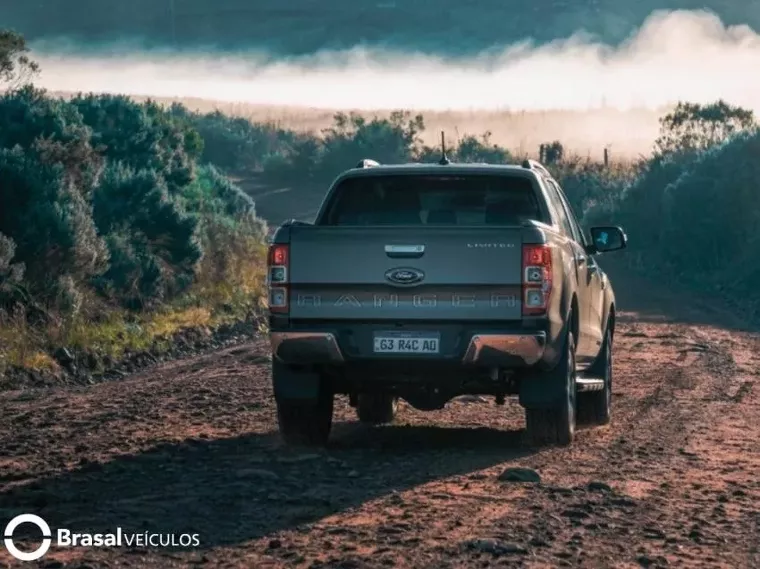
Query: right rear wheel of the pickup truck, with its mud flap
556	425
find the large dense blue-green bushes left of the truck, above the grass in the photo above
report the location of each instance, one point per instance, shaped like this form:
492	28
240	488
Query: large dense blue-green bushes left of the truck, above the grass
102	194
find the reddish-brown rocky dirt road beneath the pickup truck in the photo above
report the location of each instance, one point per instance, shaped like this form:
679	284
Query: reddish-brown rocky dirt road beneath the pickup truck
190	447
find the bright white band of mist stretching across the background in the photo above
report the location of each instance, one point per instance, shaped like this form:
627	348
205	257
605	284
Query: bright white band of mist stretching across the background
679	55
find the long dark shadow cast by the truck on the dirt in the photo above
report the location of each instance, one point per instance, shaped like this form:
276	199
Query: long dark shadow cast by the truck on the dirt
233	490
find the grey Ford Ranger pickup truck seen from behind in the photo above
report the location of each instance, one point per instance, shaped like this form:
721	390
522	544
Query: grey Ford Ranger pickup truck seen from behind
431	281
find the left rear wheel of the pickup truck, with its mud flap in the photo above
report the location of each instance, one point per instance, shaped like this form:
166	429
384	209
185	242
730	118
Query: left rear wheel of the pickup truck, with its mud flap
306	423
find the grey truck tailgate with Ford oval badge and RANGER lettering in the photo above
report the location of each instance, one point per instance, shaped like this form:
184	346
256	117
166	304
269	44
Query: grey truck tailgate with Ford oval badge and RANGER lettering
462	273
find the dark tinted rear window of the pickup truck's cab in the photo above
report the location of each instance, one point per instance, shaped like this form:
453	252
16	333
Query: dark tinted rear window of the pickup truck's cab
433	200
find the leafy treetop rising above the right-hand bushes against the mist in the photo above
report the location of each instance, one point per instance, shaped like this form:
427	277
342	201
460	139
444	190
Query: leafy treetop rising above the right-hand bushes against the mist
692	128
